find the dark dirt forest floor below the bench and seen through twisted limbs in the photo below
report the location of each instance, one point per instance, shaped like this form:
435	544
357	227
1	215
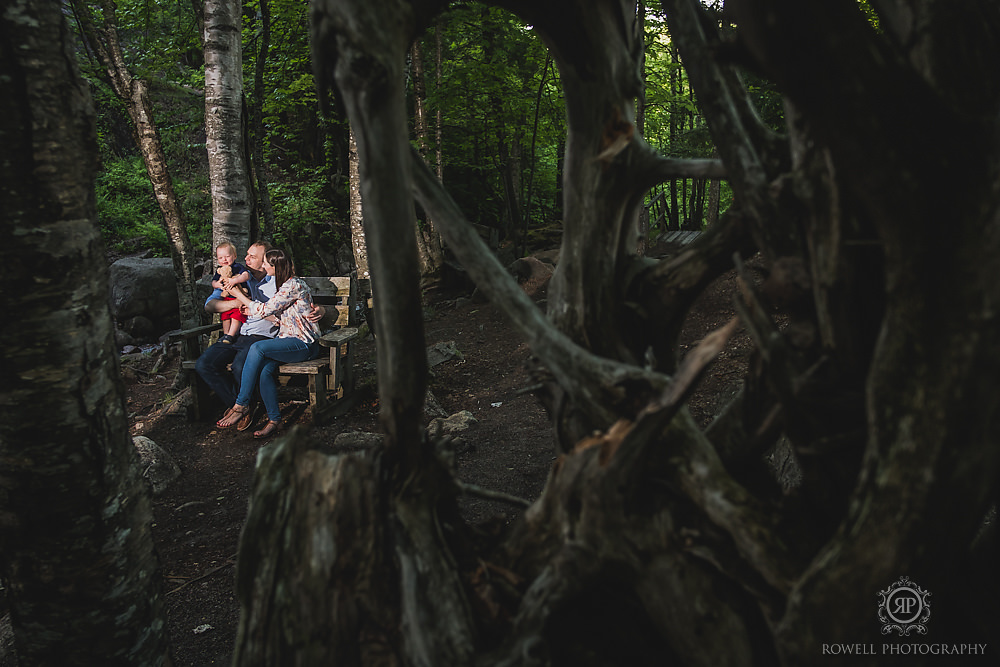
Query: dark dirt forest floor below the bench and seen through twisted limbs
198	518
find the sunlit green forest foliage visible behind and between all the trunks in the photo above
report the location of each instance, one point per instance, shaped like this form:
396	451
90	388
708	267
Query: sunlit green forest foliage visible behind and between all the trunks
496	82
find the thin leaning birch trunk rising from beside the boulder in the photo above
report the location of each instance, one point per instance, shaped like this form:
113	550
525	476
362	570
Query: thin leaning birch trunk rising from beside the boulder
103	40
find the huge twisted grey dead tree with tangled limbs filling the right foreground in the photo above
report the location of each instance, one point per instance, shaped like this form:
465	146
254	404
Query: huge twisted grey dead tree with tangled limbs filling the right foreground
670	543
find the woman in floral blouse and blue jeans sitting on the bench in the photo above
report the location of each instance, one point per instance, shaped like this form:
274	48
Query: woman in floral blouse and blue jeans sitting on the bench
296	341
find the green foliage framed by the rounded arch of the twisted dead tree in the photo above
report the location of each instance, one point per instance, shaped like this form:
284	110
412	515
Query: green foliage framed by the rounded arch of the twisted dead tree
491	71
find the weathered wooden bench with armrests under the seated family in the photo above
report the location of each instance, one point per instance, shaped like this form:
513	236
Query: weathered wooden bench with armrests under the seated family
330	376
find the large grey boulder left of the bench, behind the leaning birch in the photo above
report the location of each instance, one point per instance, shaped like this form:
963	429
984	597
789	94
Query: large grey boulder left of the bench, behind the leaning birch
144	288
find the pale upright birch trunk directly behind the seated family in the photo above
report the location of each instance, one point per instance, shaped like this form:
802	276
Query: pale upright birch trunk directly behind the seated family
232	203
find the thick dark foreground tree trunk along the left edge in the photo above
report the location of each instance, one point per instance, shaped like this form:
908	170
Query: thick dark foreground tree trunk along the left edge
82	578
